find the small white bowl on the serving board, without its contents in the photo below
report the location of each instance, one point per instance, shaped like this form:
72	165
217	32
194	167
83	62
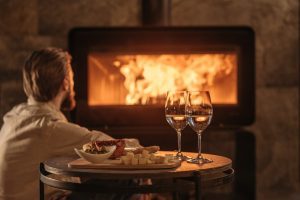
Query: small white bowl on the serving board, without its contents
96	158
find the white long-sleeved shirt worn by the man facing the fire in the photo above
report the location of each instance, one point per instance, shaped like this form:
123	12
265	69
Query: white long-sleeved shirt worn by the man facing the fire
33	132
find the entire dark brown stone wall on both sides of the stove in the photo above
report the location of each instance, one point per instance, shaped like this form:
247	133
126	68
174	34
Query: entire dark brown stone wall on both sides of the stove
33	24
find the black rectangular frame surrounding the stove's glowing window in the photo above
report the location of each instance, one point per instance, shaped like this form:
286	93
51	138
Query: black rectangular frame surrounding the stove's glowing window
175	40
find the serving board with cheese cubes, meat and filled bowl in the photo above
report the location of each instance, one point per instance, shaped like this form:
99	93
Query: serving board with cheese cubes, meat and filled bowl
113	154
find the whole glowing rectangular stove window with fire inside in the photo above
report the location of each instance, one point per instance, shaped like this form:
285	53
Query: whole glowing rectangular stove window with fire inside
145	79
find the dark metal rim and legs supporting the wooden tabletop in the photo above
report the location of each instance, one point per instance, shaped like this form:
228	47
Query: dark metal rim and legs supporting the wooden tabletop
196	178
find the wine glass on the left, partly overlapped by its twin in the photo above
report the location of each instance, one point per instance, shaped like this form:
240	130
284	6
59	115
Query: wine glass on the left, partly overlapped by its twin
175	115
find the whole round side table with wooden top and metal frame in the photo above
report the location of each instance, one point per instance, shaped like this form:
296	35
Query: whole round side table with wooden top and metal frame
218	172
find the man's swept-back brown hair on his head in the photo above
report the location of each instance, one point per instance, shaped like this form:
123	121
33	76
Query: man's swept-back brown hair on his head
44	72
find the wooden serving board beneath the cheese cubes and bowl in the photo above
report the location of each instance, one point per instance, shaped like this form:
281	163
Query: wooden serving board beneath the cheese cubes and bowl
83	164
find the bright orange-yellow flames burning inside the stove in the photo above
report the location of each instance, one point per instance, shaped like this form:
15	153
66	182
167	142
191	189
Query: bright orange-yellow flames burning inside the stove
149	77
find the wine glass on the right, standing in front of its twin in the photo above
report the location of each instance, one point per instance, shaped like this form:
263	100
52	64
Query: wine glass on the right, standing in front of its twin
199	111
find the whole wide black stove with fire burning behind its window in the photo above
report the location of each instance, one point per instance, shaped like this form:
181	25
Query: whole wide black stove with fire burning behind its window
122	74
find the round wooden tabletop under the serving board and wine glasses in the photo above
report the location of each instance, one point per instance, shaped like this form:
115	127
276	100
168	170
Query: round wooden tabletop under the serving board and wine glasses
59	165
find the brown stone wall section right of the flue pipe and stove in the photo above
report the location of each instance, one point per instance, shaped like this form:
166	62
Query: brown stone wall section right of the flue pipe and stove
276	24
